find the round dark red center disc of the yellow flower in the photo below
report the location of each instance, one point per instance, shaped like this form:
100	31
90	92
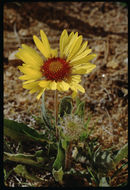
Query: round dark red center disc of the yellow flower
56	69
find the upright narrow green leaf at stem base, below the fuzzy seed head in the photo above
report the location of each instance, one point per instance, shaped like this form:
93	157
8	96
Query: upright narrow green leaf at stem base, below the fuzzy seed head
60	159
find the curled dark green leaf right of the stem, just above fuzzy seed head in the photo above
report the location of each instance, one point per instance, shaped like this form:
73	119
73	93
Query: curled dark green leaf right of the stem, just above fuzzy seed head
65	106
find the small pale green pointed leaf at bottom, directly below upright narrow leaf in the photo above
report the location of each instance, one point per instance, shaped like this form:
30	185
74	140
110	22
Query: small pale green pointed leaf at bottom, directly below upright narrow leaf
58	175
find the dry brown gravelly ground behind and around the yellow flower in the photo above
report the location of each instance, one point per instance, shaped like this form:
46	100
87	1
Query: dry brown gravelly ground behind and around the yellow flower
105	27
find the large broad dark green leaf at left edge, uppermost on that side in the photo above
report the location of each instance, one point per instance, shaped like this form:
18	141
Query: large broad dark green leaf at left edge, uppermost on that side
21	132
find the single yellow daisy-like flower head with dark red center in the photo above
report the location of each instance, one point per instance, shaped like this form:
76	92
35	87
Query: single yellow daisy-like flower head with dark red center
55	71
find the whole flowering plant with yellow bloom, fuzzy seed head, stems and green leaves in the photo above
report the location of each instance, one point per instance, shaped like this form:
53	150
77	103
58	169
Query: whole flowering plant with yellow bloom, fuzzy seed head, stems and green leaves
68	142
